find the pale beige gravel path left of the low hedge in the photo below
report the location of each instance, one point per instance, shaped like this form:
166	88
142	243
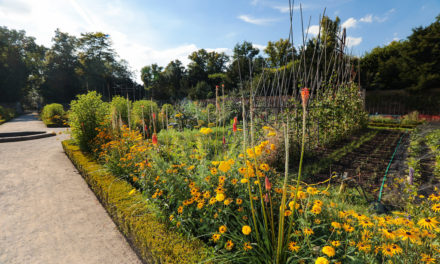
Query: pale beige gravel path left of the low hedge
47	212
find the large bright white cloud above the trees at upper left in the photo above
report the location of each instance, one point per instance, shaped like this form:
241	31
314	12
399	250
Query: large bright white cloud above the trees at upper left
138	43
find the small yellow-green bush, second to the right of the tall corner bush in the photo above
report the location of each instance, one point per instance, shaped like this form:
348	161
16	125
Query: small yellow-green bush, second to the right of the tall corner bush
144	108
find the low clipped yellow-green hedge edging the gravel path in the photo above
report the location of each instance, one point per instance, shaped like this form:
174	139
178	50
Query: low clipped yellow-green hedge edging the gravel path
134	216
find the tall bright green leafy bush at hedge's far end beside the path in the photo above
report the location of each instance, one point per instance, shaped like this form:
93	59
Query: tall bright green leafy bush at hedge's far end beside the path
86	115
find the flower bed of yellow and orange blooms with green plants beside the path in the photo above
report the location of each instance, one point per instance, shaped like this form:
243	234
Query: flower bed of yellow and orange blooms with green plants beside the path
218	178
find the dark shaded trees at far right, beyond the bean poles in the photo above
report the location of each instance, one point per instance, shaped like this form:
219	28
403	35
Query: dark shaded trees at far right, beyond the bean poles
408	64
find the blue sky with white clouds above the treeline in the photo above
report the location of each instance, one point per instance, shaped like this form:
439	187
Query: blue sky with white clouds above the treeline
153	31
